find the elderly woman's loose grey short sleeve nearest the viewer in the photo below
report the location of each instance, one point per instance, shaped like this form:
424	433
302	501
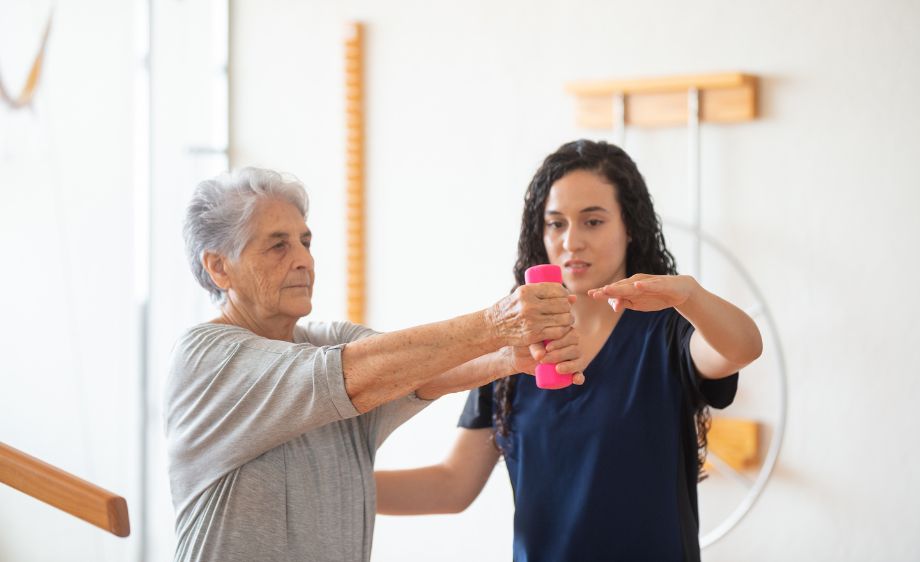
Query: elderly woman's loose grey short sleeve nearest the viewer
232	395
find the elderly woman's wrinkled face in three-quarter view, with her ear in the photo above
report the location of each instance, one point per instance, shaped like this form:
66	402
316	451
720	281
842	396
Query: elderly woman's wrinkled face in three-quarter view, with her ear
273	277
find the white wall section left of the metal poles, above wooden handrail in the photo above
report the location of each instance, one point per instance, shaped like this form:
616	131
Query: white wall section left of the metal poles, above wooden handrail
68	384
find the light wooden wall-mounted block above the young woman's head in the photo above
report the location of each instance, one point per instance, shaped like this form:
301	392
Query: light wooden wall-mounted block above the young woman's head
658	102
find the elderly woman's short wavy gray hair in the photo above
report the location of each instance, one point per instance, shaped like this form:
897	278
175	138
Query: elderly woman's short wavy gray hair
218	216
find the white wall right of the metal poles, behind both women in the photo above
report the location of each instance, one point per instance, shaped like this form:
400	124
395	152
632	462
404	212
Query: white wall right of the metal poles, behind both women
819	197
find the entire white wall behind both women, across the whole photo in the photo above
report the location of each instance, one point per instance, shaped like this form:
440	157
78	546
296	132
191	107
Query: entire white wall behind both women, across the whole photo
818	197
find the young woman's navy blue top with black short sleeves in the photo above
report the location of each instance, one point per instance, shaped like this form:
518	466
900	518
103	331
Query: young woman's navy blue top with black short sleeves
608	470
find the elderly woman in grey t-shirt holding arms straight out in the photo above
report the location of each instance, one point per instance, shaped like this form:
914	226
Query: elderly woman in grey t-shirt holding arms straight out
273	426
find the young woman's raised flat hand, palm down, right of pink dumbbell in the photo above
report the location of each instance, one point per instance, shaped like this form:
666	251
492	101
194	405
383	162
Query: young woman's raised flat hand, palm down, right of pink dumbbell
647	293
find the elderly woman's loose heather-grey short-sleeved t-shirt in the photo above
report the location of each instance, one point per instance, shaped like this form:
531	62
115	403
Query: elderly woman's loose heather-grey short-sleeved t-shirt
268	458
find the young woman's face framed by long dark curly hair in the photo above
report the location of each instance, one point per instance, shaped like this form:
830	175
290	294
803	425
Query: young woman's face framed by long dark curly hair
583	231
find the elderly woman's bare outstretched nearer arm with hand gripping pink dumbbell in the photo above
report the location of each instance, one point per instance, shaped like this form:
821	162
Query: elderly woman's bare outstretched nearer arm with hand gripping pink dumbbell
456	354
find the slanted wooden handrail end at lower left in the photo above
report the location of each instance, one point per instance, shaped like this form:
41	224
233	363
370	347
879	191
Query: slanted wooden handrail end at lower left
64	491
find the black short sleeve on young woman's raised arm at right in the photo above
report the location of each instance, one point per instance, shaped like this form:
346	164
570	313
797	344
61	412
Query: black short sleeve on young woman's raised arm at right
718	393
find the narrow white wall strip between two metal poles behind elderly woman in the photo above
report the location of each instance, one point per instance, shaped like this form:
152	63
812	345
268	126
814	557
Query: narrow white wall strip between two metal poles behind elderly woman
189	130
